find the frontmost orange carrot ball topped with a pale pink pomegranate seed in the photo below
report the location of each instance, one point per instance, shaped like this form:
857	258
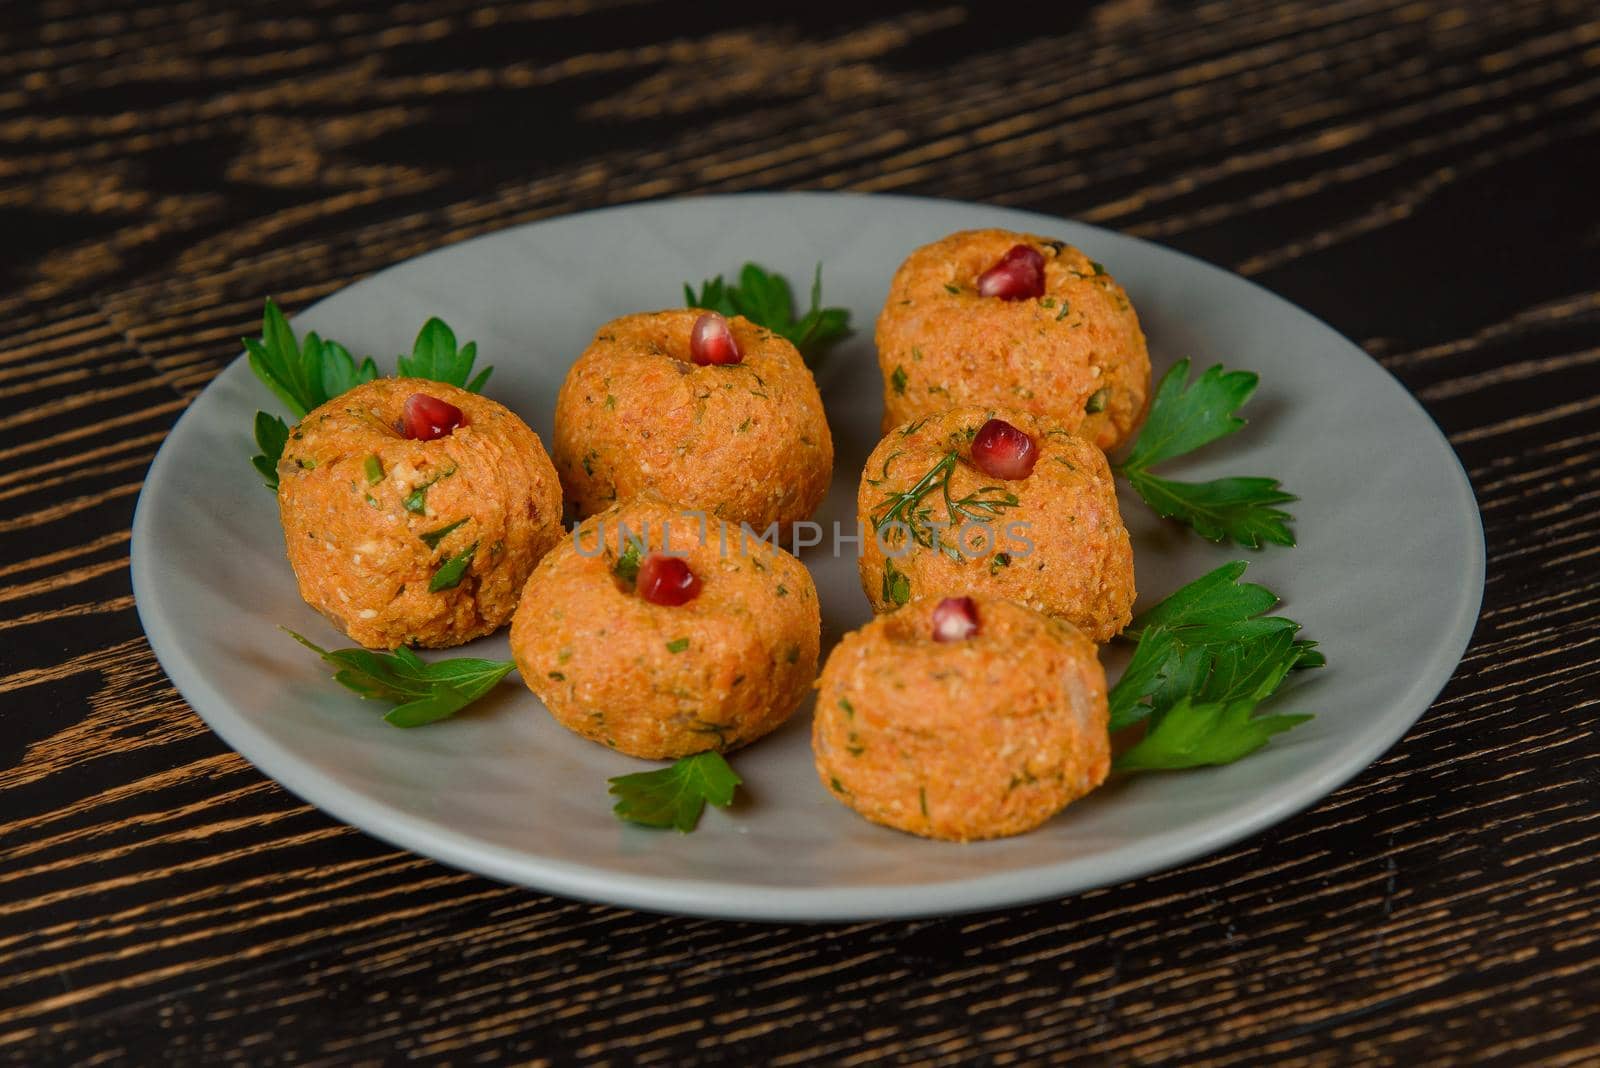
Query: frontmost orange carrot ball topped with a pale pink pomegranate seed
962	719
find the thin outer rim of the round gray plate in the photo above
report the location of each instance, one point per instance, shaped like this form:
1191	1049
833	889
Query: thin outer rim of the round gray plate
714	899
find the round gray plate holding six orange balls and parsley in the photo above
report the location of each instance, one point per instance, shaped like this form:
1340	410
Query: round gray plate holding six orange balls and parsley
1388	576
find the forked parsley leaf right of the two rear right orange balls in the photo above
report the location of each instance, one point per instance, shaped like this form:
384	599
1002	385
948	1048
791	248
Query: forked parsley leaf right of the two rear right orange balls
1183	418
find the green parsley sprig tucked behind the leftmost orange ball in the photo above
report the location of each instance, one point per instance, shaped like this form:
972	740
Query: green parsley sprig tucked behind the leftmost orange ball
310	373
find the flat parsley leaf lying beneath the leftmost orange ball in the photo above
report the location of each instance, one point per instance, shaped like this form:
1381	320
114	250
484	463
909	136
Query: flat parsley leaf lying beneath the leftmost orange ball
422	693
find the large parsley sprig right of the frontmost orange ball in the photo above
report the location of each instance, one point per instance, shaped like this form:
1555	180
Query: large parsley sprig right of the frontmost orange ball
1207	660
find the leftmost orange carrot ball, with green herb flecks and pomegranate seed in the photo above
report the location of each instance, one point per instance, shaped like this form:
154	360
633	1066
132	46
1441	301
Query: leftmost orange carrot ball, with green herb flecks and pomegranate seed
414	512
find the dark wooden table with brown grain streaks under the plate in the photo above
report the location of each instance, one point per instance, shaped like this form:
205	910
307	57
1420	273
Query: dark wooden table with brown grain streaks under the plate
1422	175
